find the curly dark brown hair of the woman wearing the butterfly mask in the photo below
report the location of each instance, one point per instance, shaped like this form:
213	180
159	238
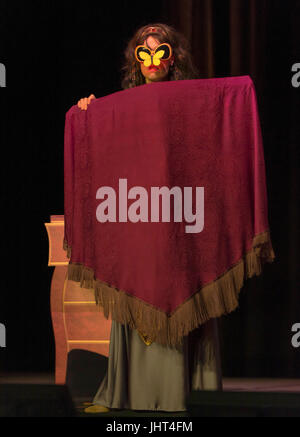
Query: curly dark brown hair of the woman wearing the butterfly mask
183	67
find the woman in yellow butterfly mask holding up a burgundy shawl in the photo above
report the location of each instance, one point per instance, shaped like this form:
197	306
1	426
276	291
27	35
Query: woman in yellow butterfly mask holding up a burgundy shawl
144	375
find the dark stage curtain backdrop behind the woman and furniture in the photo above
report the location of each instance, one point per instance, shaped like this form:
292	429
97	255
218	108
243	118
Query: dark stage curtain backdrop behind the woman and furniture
58	52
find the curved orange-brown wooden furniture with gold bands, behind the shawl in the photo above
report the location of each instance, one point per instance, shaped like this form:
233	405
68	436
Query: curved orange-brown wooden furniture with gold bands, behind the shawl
77	322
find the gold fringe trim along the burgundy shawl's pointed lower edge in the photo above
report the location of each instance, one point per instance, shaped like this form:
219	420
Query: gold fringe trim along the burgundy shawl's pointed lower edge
212	300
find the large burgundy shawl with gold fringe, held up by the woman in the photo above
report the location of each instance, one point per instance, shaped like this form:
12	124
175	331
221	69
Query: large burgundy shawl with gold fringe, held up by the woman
154	275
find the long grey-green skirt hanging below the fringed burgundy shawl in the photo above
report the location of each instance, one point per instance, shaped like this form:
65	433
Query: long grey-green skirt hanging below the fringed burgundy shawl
156	377
